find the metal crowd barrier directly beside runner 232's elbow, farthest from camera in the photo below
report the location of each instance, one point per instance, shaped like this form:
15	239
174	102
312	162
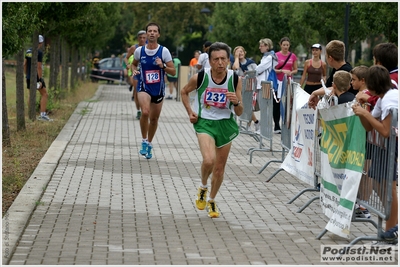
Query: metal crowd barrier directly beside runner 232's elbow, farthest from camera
249	85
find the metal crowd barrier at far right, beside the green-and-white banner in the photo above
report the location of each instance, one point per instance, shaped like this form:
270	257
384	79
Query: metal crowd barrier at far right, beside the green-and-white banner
378	180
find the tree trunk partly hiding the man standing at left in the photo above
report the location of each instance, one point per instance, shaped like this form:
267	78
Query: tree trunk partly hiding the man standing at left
33	83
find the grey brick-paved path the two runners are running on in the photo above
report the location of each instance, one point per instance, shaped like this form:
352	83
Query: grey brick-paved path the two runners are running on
105	204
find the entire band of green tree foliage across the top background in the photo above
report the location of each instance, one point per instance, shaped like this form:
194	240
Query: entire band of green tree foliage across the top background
98	25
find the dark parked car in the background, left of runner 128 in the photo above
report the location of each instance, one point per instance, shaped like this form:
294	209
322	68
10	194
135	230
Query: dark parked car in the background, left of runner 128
110	70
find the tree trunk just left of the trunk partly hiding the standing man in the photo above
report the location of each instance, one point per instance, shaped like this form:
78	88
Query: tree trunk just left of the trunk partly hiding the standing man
20	91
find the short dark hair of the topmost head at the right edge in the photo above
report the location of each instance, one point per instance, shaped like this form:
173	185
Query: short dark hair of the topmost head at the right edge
386	55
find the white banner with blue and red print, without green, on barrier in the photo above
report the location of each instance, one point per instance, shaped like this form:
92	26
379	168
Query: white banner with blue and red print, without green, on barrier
300	159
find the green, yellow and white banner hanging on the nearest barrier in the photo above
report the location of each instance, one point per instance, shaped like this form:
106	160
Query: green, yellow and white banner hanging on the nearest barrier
342	160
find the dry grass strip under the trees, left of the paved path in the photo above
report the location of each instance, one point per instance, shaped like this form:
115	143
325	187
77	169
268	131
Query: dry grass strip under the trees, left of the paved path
29	146
